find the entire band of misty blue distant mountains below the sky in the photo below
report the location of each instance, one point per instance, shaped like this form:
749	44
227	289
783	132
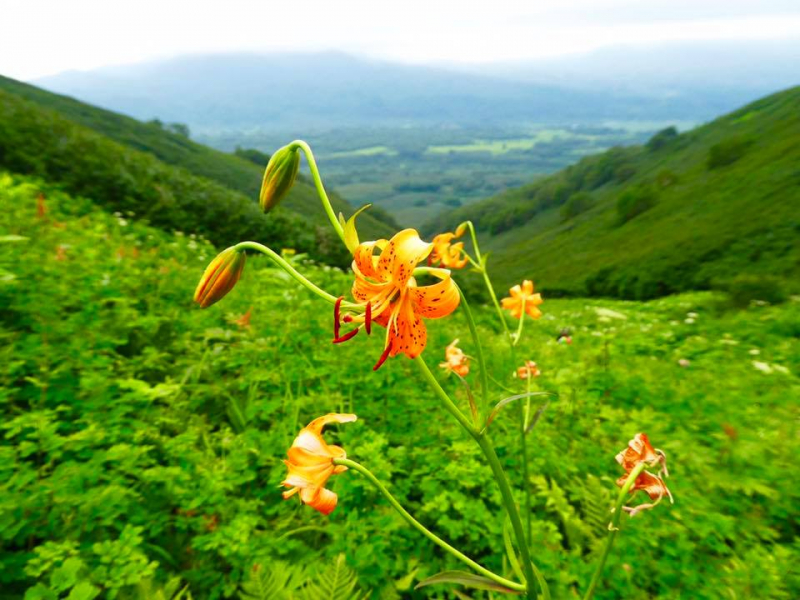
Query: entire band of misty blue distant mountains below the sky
243	91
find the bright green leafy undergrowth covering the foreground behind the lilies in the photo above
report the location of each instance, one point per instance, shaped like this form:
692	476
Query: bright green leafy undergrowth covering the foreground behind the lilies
141	439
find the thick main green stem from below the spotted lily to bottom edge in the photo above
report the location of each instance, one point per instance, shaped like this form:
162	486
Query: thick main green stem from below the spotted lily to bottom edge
482	438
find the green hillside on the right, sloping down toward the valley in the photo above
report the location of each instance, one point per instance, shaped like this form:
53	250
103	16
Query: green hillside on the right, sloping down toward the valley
716	206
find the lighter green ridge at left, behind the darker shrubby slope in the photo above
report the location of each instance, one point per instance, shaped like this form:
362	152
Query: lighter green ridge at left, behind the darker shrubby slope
231	171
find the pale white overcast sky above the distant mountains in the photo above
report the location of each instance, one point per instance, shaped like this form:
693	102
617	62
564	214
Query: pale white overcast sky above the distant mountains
42	37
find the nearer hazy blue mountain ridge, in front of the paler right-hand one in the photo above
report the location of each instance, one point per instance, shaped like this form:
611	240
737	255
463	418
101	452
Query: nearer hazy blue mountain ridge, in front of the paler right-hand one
286	91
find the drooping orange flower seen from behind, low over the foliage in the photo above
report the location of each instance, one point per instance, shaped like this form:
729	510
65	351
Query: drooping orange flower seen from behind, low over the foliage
310	464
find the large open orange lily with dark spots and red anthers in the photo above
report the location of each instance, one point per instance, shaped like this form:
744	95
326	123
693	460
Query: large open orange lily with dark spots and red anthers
386	288
